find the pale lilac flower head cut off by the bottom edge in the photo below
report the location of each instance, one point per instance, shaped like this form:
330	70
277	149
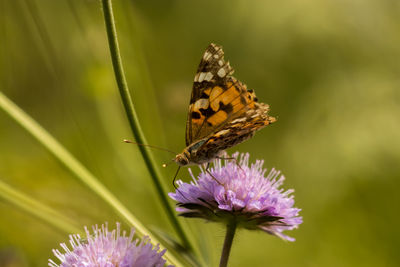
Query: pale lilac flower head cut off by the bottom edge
104	248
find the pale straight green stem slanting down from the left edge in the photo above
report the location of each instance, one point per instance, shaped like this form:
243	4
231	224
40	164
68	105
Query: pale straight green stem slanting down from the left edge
66	158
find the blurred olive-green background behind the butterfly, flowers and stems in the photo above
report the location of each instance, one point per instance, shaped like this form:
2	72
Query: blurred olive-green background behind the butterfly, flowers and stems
329	69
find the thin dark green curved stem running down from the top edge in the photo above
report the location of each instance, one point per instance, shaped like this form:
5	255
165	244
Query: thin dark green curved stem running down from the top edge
133	120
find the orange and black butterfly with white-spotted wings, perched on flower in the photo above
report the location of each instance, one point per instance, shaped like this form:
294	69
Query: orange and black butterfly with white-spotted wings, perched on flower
222	111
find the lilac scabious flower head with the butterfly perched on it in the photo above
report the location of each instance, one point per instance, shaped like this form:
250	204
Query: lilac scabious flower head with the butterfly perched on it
237	191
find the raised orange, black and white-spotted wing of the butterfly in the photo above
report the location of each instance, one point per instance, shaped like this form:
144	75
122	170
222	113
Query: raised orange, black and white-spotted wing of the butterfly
218	99
